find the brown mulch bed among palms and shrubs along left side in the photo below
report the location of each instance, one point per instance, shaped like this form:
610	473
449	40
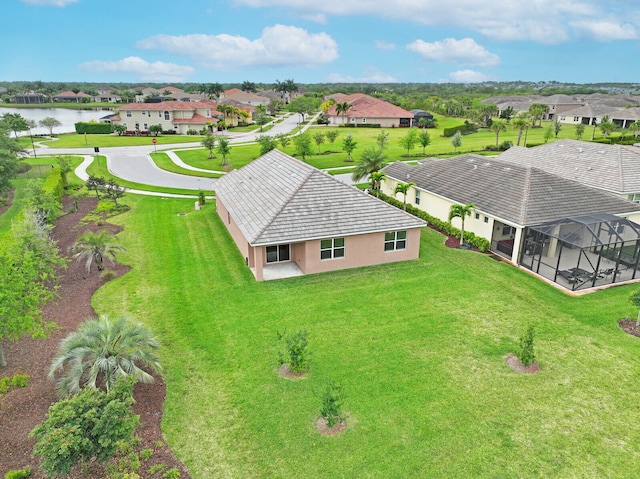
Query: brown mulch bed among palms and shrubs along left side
23	408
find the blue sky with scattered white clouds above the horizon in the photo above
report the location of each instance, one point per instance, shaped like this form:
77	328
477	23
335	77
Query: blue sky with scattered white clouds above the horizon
206	41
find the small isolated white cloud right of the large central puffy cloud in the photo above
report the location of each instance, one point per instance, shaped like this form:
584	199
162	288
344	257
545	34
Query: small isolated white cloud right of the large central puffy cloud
450	50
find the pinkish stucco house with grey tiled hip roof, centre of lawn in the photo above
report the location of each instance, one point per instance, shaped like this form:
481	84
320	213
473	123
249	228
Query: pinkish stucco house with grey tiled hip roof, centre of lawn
287	218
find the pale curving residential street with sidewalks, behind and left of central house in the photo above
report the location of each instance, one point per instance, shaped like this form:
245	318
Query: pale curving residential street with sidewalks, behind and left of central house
133	163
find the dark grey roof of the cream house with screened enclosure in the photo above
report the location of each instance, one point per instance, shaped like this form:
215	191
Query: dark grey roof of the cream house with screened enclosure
517	194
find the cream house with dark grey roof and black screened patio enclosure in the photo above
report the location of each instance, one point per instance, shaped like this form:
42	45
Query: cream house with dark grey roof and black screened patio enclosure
550	225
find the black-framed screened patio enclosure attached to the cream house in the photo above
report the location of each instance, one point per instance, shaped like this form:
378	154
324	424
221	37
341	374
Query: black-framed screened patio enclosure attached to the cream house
583	252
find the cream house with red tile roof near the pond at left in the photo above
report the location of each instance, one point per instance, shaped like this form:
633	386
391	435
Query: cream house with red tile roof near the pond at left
178	116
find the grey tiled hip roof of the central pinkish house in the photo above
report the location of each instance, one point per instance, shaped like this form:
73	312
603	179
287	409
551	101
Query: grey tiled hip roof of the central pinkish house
278	199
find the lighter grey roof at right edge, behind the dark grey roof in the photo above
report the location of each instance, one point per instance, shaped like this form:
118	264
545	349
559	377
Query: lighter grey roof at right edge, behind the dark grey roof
614	168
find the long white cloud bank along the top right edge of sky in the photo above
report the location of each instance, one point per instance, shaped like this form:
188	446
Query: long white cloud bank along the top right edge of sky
544	21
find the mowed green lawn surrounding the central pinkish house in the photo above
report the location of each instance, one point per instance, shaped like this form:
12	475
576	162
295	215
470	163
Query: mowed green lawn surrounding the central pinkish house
418	347
